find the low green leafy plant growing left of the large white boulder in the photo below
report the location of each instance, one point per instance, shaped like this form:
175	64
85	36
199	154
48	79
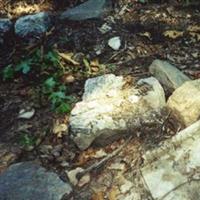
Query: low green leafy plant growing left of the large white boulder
50	70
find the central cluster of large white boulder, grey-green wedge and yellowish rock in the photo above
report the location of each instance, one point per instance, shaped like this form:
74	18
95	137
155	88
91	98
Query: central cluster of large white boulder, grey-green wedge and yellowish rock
110	109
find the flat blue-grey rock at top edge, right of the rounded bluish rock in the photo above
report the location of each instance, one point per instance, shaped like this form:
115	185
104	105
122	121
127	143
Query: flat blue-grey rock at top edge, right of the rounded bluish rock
88	10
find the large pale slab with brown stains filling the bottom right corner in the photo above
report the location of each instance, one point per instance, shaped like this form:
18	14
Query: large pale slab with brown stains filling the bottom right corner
172	171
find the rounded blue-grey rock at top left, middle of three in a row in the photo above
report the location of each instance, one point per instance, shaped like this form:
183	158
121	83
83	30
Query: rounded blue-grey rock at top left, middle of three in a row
33	26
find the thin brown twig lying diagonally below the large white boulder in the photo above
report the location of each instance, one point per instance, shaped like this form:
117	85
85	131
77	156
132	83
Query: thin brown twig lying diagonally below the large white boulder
104	160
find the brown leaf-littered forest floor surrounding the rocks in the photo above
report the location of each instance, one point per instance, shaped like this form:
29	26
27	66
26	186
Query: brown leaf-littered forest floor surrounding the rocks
147	31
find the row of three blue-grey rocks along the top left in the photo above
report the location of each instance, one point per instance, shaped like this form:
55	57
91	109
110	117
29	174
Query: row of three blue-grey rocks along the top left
33	27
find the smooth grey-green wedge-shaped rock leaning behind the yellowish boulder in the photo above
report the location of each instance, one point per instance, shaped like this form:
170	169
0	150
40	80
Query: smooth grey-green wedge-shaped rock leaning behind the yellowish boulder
168	75
